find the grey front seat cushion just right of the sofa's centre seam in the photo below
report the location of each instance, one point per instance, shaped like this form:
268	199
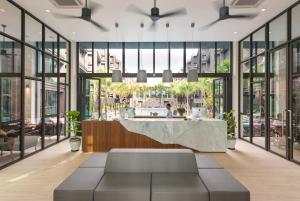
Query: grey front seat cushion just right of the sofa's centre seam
178	187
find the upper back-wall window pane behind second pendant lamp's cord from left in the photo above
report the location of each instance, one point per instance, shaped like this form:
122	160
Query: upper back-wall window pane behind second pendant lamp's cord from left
146	57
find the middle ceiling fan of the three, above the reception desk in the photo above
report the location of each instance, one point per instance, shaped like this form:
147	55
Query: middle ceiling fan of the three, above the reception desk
154	13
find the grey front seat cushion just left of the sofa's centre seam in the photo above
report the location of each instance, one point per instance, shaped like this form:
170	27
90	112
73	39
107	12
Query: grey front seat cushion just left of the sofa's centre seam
124	187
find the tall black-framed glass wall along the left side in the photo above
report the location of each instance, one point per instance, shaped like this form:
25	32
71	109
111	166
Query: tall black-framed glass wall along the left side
41	96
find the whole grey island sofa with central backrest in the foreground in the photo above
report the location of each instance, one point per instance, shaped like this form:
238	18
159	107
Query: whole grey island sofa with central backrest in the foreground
151	174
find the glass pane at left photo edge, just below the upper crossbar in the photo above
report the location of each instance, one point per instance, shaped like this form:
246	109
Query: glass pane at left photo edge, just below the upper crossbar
10	57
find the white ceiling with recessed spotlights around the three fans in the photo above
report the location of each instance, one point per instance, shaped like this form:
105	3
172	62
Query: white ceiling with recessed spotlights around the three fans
199	11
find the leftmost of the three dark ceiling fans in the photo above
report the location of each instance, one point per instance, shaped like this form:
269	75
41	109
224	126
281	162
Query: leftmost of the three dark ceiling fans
86	15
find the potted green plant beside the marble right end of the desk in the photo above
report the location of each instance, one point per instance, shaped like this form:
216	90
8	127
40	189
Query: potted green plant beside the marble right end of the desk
231	125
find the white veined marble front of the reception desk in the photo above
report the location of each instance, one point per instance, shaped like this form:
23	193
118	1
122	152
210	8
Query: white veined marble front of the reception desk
207	135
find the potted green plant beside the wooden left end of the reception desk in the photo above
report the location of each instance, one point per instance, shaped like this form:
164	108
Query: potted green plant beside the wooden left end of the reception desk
73	129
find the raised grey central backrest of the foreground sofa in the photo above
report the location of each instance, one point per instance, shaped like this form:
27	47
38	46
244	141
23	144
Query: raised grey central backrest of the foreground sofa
151	160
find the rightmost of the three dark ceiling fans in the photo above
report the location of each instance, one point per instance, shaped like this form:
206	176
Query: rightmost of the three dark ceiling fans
225	15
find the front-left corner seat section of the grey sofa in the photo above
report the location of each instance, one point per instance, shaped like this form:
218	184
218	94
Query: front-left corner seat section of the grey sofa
79	186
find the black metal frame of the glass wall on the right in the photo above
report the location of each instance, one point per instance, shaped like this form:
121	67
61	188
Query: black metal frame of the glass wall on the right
268	50
